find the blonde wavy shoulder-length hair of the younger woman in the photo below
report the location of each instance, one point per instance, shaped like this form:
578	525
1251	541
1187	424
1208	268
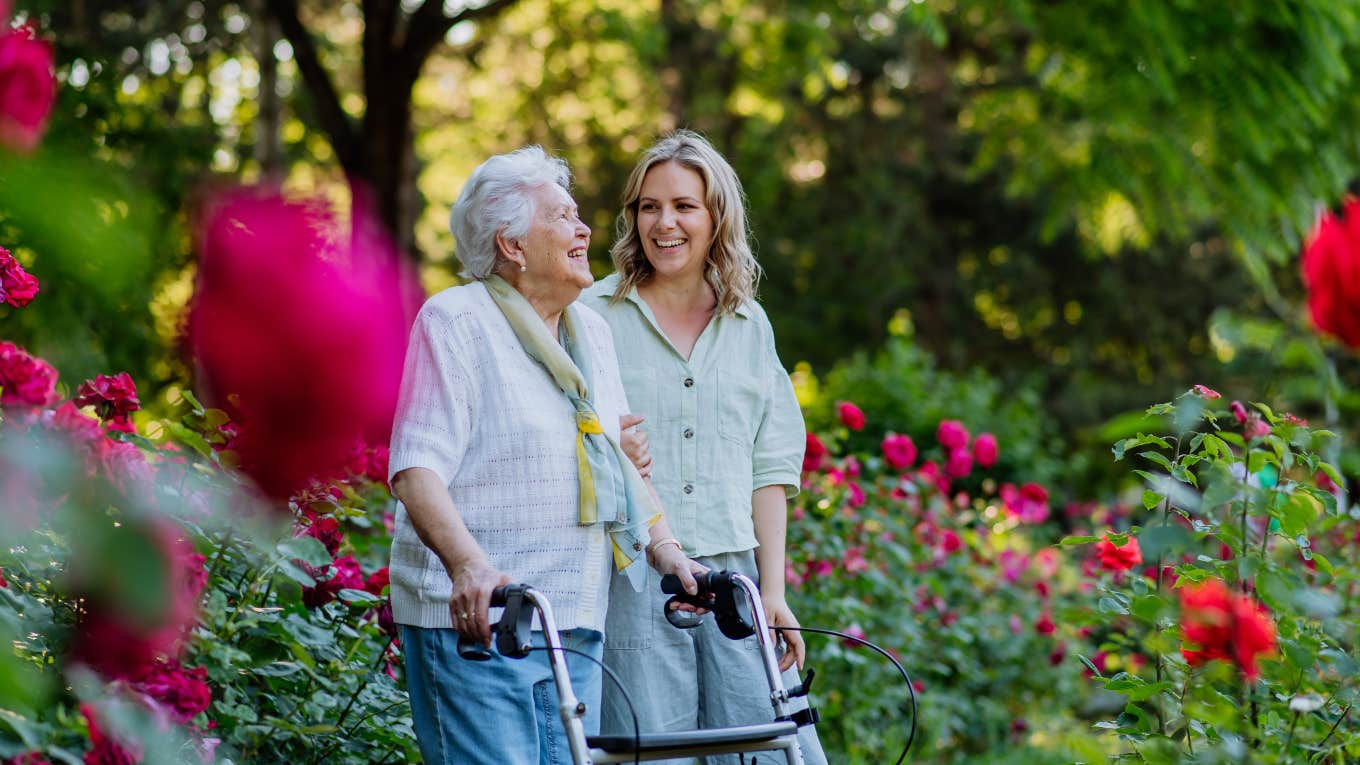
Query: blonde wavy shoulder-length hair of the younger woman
732	270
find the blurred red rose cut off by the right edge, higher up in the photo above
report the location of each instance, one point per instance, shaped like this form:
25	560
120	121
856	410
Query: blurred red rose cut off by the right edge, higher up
1332	274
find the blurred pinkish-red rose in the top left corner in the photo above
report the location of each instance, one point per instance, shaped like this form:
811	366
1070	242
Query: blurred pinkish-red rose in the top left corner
28	88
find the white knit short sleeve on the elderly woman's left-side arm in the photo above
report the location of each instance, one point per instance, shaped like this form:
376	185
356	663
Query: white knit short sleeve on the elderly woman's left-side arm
435	410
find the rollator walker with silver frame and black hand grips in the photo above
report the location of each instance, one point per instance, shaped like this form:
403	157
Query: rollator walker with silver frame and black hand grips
739	612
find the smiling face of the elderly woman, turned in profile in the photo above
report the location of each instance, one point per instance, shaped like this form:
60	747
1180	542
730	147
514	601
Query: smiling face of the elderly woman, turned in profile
553	254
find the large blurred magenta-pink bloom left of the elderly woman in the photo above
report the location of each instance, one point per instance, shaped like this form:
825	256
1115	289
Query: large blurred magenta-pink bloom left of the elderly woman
316	361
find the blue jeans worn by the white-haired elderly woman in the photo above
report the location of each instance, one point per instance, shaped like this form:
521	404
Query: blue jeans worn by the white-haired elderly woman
501	711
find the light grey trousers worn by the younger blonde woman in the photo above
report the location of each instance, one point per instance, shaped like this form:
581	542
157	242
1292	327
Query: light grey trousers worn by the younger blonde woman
681	680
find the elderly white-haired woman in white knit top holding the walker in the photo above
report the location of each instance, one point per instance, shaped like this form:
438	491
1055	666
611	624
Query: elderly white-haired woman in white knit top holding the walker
507	462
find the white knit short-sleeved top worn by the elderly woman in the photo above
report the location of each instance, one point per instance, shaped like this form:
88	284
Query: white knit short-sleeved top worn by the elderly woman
490	421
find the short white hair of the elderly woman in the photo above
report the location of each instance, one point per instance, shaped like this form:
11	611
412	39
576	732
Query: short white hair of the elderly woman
496	201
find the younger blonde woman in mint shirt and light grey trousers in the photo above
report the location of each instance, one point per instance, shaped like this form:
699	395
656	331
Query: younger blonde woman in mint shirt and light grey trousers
727	435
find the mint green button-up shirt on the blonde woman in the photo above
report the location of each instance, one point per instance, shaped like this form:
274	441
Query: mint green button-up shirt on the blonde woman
721	424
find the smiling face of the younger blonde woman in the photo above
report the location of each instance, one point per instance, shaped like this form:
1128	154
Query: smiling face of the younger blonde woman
674	223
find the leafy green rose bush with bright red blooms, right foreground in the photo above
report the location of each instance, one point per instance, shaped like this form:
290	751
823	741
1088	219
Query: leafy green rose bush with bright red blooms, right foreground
1236	499
